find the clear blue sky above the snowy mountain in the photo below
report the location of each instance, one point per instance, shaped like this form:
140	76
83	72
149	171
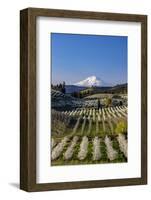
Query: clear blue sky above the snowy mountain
76	57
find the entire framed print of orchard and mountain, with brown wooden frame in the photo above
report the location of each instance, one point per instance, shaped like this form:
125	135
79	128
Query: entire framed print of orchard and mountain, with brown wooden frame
83	93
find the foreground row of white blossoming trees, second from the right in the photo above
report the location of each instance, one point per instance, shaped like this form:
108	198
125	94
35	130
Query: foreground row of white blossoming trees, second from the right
111	153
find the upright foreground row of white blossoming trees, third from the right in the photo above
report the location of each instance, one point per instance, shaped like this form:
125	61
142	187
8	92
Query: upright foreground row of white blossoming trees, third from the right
96	149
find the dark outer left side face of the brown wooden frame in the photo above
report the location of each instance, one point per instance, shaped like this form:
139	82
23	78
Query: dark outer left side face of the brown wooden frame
24	99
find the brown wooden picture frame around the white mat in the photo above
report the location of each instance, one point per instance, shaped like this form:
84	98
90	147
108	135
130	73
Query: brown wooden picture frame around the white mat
28	98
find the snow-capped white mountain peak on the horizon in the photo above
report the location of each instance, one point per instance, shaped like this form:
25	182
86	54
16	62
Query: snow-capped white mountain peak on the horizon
92	81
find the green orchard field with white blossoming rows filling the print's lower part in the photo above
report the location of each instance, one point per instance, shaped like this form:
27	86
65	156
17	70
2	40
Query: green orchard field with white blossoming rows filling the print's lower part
96	132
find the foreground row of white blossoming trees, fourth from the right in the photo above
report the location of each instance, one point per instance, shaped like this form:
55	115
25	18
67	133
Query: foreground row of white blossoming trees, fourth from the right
83	148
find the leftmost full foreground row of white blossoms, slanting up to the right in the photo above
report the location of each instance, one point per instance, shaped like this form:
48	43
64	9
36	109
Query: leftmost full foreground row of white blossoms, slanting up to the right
59	148
